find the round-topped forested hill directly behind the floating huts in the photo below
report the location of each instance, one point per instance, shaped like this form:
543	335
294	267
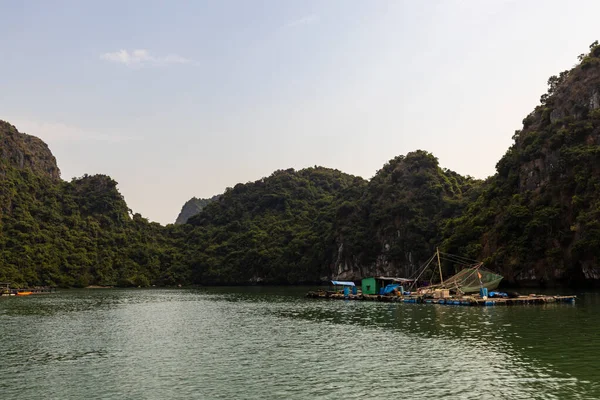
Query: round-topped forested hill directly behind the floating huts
395	224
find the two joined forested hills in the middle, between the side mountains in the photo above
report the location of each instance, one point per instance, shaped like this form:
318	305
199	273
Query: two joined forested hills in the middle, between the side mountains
317	223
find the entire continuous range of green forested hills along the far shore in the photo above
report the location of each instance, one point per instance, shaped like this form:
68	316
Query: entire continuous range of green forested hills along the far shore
536	219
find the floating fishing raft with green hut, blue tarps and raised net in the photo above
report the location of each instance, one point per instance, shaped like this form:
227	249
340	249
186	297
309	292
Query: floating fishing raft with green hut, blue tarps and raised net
473	285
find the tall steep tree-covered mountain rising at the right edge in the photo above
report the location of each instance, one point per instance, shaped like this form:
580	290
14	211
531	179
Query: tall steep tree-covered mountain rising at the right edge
538	217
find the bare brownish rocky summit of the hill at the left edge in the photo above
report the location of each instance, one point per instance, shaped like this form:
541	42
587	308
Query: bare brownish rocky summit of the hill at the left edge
23	151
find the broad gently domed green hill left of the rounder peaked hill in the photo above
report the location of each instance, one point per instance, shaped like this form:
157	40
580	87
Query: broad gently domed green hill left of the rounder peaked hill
277	229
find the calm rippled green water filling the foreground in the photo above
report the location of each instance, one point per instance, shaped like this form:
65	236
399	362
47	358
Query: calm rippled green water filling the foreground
271	343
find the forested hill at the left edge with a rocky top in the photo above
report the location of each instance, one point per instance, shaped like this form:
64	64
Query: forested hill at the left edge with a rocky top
71	233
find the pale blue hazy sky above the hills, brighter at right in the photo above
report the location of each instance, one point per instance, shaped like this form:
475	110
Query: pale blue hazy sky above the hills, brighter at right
176	99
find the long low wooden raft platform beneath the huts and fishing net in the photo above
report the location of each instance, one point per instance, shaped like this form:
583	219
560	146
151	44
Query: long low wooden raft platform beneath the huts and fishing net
453	301
